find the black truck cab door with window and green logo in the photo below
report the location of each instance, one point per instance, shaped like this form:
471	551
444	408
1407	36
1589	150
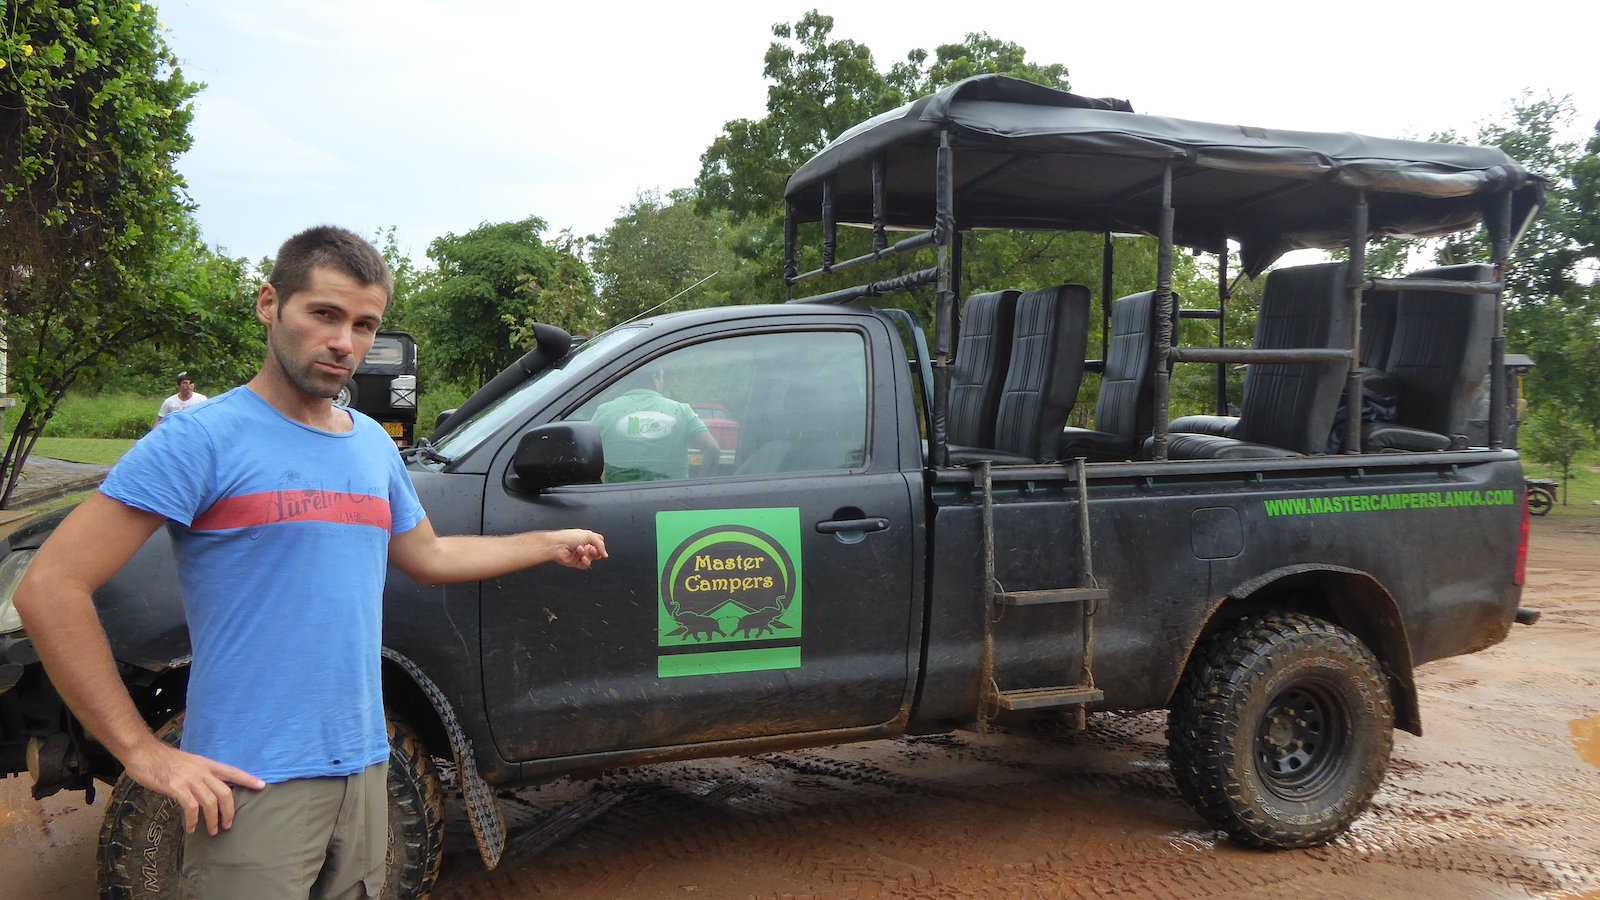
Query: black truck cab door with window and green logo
756	587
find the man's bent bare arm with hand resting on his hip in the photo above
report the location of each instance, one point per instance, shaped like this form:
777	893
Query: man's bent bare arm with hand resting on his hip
57	605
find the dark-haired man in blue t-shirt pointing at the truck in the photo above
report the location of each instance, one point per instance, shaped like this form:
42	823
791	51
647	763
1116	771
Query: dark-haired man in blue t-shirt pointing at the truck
286	513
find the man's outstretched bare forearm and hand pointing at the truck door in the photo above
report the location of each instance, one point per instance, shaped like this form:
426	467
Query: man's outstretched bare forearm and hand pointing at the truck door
431	560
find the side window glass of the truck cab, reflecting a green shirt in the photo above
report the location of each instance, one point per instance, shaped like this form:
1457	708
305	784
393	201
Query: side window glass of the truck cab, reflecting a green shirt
758	404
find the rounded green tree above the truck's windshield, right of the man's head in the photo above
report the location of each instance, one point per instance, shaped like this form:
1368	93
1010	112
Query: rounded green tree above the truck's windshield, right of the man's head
489	286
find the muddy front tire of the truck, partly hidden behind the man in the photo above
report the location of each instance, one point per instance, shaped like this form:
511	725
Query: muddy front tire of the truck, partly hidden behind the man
143	837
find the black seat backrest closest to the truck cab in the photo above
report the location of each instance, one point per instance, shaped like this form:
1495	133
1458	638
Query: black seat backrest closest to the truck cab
983	356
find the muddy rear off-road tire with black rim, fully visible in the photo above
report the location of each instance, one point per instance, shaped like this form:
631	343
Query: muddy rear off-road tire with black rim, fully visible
1281	731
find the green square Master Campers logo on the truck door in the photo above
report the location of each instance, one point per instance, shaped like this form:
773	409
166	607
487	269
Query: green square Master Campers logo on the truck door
729	592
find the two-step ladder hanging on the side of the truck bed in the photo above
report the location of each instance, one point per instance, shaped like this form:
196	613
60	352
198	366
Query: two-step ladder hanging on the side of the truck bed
1089	597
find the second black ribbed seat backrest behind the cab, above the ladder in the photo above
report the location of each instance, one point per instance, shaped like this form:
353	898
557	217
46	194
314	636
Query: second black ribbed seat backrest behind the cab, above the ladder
1047	368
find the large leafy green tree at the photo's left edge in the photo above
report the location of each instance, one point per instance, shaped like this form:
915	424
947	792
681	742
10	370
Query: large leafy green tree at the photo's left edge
97	244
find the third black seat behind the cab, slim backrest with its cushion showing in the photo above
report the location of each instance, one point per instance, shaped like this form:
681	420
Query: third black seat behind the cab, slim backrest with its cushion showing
1122	409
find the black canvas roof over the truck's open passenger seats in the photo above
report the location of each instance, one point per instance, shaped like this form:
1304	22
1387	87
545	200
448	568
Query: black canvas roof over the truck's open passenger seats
1030	156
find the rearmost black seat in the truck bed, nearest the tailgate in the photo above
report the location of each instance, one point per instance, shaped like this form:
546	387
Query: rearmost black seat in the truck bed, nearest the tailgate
1439	356
